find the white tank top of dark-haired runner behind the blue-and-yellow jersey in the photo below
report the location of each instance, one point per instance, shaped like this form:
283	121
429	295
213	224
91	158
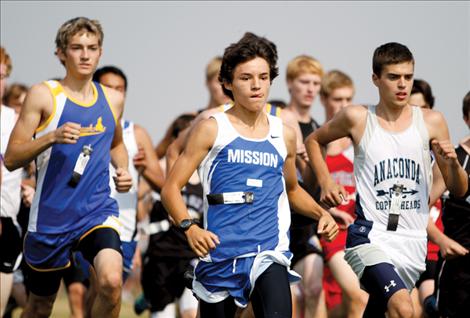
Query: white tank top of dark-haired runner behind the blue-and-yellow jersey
127	202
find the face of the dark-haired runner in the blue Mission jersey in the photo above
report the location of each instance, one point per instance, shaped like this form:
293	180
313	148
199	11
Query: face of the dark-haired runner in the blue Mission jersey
250	84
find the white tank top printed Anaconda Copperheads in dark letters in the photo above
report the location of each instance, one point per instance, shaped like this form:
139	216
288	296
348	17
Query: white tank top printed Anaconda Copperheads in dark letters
385	159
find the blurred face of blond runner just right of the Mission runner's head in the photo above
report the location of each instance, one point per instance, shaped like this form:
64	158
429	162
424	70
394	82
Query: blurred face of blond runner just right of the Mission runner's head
304	88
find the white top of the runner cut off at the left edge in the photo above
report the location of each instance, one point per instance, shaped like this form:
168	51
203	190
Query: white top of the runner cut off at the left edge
11	181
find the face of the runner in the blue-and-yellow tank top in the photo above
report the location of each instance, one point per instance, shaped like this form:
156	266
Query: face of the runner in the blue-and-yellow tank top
82	54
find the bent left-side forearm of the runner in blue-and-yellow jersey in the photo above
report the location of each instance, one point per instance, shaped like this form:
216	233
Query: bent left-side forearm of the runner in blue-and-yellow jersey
21	154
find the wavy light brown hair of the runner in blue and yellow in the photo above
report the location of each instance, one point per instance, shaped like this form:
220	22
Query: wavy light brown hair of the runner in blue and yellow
74	26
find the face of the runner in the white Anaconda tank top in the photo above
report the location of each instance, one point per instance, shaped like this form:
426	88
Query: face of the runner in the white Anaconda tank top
395	83
